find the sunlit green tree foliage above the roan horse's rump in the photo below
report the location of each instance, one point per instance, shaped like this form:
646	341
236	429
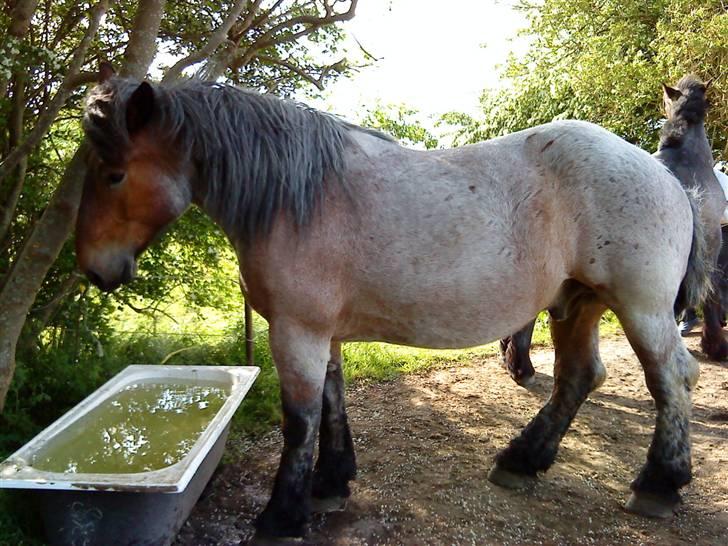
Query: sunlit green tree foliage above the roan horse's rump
603	61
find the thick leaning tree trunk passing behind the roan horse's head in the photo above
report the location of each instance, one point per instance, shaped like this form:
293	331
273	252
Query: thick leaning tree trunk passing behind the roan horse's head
54	227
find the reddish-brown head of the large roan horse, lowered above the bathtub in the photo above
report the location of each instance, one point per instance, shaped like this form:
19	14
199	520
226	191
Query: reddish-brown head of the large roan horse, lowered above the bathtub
136	183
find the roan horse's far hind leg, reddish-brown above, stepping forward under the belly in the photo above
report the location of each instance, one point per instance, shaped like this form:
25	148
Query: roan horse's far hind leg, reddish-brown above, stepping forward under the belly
578	370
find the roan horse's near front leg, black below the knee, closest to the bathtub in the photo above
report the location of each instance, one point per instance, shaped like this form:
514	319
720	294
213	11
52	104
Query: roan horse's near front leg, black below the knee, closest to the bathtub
300	356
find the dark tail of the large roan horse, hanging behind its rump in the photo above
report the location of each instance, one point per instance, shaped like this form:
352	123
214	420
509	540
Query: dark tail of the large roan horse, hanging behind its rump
696	284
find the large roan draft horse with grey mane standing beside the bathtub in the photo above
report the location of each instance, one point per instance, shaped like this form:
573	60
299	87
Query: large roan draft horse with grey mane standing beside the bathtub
342	234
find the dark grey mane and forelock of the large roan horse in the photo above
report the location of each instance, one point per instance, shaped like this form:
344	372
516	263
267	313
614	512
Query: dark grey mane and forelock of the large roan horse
254	154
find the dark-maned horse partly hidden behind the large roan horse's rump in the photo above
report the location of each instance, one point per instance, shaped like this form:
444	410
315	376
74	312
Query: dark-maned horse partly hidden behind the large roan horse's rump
685	150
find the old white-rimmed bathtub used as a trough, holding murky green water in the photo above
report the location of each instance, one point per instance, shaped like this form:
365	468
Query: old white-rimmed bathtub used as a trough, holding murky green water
128	508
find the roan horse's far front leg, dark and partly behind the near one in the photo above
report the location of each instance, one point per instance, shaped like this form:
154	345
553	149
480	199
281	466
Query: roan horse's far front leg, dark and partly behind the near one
336	464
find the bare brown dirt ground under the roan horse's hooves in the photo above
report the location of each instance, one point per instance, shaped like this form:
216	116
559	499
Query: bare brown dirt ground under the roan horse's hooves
426	442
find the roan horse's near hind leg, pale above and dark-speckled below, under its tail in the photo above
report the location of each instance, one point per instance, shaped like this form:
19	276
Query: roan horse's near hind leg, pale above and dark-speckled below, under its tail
670	373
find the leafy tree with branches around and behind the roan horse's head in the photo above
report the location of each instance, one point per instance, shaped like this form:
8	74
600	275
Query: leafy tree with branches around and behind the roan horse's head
50	52
